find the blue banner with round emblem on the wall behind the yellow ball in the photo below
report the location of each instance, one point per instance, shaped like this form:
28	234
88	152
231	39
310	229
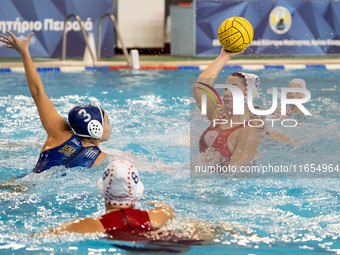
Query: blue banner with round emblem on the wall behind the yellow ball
280	27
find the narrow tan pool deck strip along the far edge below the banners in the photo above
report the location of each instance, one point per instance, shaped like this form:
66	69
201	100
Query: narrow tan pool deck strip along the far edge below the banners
173	61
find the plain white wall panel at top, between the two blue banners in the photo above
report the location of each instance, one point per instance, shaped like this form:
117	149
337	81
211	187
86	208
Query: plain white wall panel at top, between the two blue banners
141	23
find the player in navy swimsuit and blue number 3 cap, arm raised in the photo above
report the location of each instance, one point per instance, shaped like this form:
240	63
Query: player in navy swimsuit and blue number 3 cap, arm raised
70	144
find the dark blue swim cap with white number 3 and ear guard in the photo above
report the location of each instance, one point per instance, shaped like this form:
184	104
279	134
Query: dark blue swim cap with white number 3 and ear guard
86	121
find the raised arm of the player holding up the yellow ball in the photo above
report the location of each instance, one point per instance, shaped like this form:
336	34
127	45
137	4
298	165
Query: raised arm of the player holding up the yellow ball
206	80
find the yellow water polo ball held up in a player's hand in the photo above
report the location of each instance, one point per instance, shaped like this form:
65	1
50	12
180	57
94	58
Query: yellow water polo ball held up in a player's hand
235	34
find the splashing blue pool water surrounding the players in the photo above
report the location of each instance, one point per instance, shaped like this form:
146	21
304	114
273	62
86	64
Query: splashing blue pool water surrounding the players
150	118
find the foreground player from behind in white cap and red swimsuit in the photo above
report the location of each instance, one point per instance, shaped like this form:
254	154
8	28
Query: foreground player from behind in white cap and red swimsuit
121	188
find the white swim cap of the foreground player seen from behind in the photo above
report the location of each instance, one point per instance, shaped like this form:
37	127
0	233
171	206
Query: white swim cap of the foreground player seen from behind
120	184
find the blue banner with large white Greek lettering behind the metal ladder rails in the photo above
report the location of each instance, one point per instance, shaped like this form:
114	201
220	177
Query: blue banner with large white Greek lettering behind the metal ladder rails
46	19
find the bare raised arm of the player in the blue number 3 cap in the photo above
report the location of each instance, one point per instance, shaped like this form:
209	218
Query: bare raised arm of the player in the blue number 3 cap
51	120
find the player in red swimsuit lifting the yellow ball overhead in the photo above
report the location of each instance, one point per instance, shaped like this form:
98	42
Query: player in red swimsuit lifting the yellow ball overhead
237	144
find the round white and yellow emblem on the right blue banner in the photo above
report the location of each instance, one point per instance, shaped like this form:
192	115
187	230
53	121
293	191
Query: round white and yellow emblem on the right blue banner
280	20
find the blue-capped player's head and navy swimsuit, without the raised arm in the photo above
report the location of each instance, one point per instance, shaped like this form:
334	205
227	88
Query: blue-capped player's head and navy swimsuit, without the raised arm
81	149
